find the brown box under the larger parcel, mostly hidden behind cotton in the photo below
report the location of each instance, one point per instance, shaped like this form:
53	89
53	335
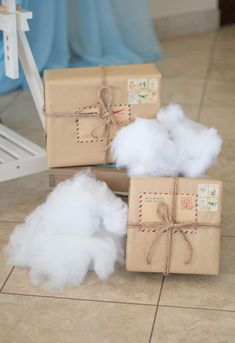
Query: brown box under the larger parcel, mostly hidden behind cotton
117	179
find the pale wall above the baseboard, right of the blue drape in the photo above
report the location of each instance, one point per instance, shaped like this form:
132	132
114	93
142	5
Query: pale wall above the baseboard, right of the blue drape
168	8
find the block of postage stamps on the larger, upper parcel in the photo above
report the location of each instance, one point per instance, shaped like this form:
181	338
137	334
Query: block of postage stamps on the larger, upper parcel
143	91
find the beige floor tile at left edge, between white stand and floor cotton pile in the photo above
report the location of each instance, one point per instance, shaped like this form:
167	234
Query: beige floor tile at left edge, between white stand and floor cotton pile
20	196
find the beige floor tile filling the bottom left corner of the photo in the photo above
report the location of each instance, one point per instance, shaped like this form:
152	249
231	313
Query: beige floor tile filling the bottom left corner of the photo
42	320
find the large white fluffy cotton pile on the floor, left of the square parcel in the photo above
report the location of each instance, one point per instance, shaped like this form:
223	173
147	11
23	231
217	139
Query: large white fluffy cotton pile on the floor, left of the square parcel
80	227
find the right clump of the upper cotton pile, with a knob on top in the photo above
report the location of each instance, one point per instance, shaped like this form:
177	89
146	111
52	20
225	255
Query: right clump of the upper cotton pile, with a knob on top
197	145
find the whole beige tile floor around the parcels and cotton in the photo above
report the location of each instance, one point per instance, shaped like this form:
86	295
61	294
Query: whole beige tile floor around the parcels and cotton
199	73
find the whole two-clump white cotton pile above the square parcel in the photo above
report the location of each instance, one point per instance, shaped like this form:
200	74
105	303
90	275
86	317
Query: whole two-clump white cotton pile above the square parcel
170	145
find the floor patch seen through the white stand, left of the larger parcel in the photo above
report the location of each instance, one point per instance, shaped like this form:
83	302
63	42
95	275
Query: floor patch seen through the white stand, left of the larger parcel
22	117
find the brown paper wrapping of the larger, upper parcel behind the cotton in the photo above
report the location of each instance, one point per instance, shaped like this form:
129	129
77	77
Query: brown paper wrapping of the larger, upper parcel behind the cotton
70	137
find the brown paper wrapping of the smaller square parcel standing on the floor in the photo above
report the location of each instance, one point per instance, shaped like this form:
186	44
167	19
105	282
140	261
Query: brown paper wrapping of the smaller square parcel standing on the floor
197	201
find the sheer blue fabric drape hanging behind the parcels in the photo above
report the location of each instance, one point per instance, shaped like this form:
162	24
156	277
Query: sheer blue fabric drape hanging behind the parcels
85	33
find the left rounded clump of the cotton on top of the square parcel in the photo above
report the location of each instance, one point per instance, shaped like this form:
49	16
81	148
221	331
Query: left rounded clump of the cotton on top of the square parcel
144	147
